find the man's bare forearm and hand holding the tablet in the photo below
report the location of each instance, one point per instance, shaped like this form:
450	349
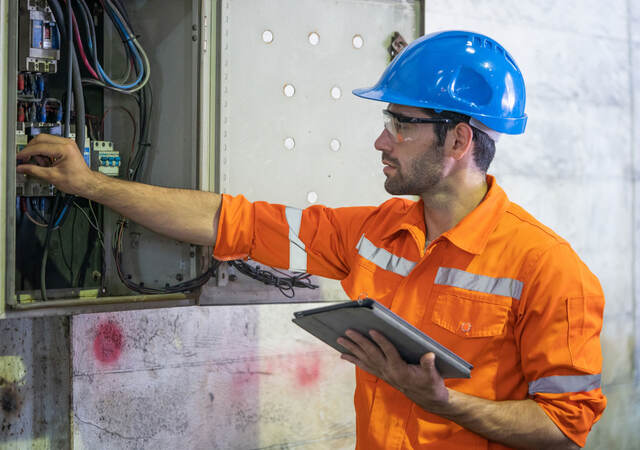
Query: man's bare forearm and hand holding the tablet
516	423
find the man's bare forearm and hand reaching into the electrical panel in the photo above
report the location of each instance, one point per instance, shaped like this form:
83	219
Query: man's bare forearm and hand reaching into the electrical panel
182	214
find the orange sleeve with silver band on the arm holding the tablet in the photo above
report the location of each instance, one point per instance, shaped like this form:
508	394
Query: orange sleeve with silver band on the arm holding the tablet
558	333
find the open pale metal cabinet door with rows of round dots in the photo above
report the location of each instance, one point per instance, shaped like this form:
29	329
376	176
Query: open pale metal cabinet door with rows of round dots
291	131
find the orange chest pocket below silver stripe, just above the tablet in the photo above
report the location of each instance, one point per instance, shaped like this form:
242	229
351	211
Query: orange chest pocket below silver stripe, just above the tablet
471	317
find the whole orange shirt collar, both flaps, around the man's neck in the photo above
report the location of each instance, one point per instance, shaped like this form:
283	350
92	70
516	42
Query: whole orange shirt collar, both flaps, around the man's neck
471	234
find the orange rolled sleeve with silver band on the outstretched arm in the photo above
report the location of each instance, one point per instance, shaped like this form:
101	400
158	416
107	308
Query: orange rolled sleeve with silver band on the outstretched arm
322	240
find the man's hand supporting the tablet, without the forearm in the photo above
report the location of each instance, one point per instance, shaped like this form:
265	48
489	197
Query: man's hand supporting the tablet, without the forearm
421	383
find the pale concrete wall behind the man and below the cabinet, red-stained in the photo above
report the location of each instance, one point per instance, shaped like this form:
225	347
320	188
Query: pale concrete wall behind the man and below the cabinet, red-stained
245	377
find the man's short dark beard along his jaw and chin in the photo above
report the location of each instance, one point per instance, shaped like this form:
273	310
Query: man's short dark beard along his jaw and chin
421	175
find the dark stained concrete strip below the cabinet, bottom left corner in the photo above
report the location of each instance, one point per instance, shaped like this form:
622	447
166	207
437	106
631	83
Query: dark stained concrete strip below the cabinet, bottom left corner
34	383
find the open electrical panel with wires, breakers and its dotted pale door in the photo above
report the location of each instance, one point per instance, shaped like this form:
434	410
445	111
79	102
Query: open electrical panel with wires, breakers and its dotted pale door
167	93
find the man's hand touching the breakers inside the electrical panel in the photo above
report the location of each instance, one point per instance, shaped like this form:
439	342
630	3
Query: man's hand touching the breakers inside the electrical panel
58	161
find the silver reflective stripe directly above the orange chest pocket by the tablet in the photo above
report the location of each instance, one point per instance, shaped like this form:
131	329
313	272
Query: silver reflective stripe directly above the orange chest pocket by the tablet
479	283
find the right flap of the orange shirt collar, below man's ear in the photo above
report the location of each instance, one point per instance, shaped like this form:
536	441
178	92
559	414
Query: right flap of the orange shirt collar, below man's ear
472	233
